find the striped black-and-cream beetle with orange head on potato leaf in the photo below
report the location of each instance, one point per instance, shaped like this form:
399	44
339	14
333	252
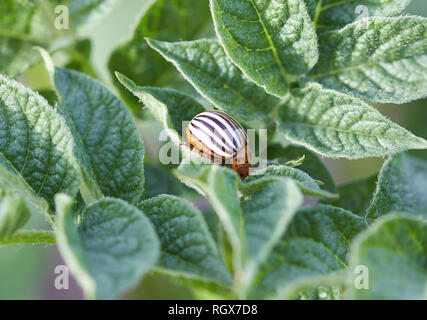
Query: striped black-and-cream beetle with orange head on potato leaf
216	135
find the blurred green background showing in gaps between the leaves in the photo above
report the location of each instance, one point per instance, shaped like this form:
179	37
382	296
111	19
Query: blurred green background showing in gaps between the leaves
27	272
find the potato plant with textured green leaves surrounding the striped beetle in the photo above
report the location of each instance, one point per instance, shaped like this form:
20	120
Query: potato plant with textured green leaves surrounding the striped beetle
311	72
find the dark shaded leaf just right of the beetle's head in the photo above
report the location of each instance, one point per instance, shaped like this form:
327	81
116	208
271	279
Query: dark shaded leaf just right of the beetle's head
312	164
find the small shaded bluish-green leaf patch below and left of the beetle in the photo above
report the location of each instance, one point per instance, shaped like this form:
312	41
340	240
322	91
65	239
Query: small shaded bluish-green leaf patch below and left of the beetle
160	181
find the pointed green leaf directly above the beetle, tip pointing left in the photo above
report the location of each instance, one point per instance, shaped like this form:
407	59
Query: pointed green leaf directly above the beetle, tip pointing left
205	65
